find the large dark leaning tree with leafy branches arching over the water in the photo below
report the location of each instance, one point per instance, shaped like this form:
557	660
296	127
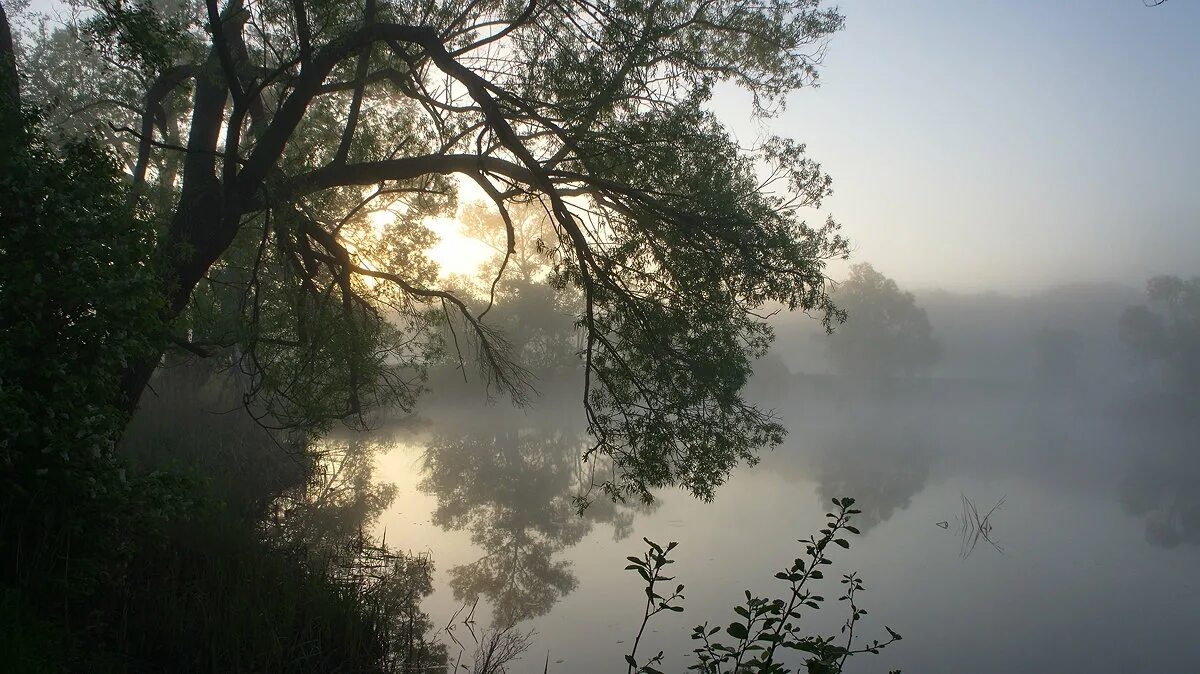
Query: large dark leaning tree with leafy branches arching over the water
265	135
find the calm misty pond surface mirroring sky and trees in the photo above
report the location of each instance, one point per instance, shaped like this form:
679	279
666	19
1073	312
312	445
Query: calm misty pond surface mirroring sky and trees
1091	565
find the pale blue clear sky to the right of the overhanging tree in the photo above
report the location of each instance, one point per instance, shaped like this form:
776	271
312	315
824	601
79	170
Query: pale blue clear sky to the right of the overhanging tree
1009	145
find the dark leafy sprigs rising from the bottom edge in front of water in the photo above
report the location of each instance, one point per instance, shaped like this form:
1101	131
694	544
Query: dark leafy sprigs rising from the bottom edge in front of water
766	629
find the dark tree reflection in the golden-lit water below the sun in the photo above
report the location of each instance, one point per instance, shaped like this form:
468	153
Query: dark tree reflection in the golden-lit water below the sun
513	486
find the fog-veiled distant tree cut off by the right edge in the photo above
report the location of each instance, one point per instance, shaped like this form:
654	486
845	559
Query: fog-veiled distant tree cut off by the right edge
1167	328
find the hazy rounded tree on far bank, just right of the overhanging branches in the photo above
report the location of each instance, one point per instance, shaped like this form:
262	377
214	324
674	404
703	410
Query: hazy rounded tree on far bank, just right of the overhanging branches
885	333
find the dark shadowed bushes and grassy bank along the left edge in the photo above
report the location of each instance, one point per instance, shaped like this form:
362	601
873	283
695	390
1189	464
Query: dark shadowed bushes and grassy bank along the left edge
93	552
